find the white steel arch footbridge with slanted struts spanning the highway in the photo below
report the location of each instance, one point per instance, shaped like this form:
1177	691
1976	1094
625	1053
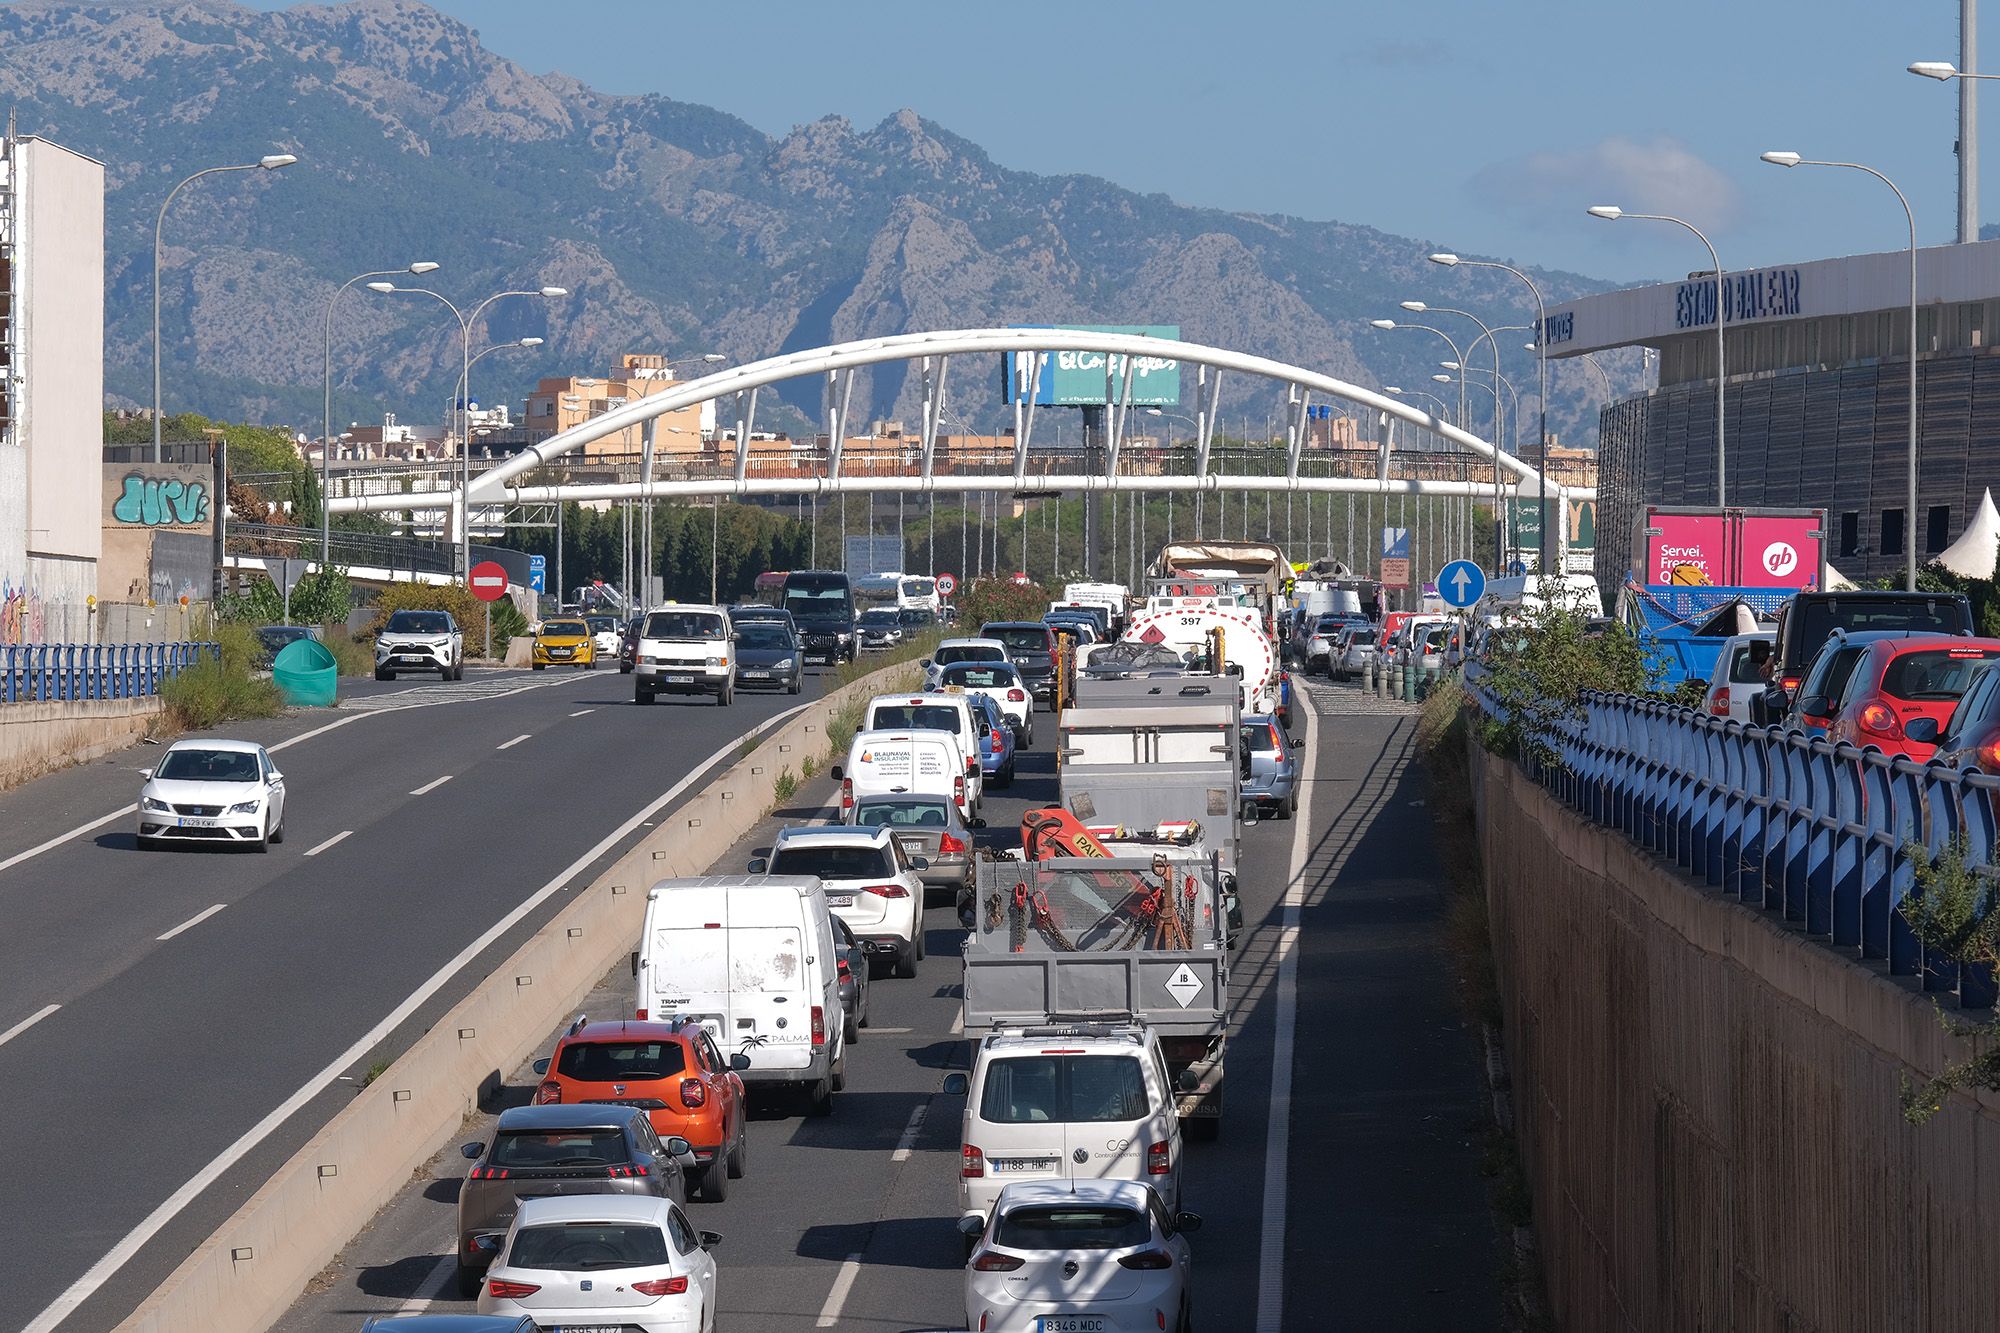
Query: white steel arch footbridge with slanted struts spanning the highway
935	351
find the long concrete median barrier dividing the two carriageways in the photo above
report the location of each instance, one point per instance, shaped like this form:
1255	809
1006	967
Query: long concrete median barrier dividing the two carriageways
253	1268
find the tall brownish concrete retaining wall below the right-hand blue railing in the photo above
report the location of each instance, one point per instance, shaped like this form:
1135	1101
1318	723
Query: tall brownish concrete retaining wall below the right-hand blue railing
1709	1104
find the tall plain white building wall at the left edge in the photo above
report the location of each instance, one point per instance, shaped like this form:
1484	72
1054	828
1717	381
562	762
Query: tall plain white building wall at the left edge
61	259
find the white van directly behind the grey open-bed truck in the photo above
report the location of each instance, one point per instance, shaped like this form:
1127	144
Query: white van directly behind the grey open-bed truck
1067	1102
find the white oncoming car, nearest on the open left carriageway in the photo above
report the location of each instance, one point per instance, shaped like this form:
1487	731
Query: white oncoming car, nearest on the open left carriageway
213	792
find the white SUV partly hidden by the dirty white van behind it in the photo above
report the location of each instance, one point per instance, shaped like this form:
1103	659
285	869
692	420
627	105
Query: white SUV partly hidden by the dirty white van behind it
869	882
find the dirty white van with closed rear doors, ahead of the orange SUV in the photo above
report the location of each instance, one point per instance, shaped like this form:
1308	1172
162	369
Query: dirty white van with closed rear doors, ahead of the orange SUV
751	958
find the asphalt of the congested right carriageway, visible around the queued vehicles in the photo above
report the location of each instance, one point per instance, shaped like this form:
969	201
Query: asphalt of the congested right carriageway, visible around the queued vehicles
1359	1210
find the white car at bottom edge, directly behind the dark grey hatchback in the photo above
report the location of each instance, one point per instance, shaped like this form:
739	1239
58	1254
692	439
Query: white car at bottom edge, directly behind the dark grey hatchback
605	1262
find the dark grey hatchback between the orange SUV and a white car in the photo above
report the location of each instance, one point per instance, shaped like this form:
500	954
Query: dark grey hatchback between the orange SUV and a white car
559	1150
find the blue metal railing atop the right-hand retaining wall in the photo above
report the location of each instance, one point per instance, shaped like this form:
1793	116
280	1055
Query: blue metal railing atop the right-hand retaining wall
1787	824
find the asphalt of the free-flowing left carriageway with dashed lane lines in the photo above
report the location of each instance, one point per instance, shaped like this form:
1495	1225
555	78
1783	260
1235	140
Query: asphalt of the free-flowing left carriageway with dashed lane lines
197	1014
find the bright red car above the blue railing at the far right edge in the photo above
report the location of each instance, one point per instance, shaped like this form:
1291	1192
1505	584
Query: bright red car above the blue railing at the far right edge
1903	680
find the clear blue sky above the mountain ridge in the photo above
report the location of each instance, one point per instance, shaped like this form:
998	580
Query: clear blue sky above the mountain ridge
1479	125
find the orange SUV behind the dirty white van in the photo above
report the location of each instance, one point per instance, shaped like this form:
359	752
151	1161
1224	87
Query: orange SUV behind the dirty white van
671	1072
